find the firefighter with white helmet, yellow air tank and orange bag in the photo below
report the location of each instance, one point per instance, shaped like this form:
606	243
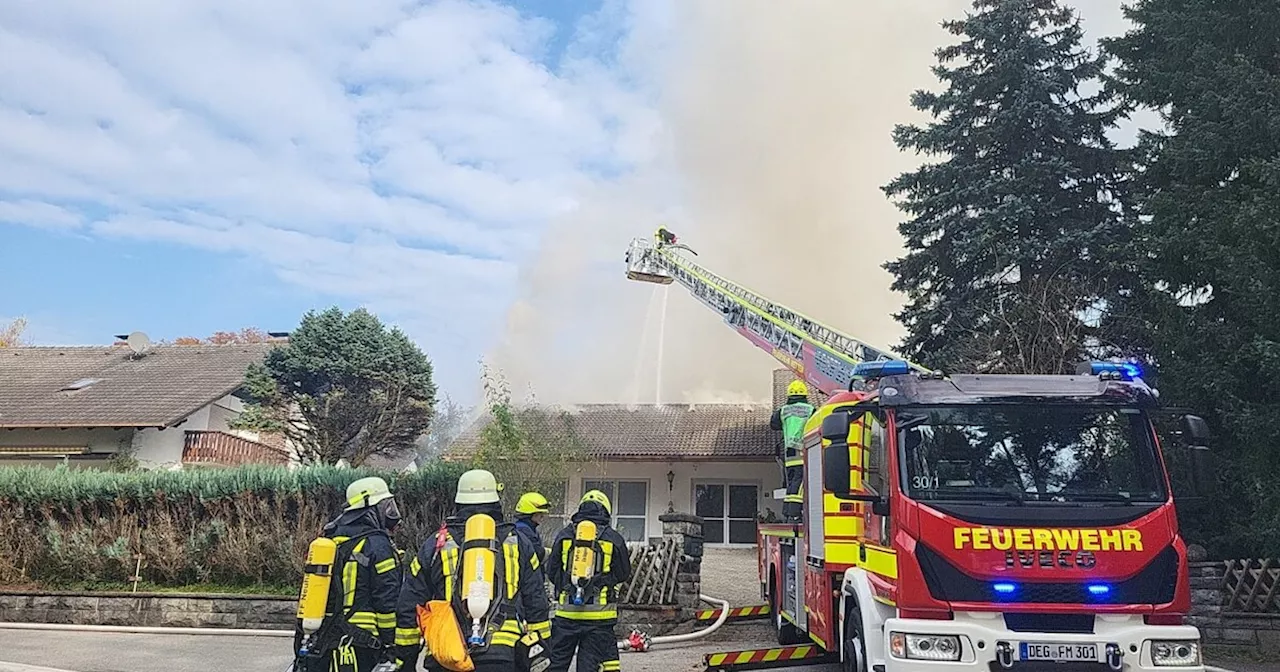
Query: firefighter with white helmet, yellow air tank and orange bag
476	592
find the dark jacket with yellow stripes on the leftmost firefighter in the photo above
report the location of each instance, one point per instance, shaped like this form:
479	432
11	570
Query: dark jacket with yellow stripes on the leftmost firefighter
367	584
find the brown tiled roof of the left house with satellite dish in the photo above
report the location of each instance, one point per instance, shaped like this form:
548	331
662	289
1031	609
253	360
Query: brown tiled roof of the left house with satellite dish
117	388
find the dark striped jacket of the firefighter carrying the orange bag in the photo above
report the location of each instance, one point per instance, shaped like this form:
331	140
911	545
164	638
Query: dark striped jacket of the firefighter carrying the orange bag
433	575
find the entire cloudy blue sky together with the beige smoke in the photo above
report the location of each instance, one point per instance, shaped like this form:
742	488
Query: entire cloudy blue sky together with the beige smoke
472	171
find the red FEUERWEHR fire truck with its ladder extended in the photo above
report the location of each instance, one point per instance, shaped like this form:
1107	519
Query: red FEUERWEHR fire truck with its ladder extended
963	523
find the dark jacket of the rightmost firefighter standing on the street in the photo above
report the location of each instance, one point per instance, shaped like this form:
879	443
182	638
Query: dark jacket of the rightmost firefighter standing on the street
612	568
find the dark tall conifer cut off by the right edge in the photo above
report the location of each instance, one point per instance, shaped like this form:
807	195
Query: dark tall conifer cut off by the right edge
1210	236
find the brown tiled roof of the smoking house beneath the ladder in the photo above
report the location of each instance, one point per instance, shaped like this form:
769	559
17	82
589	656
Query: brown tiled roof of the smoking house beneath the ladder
717	432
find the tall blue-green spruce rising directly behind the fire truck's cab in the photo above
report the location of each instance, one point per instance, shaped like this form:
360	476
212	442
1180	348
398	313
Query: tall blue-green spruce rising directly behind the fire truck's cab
1012	231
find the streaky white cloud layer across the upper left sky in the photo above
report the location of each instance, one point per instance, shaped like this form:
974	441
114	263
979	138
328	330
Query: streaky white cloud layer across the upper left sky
406	156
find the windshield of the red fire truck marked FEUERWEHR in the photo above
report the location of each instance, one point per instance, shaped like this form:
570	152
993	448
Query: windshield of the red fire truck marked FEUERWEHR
1052	455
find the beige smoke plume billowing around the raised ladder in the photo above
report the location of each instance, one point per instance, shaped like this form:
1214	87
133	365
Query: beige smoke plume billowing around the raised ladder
774	144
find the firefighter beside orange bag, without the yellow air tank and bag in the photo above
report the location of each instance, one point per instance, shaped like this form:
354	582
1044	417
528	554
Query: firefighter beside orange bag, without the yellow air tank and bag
520	604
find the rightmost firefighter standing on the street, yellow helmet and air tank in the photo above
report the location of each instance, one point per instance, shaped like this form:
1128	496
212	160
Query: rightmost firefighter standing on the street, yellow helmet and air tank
587	606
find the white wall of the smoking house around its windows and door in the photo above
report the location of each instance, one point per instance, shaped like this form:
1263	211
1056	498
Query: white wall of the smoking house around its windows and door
766	476
